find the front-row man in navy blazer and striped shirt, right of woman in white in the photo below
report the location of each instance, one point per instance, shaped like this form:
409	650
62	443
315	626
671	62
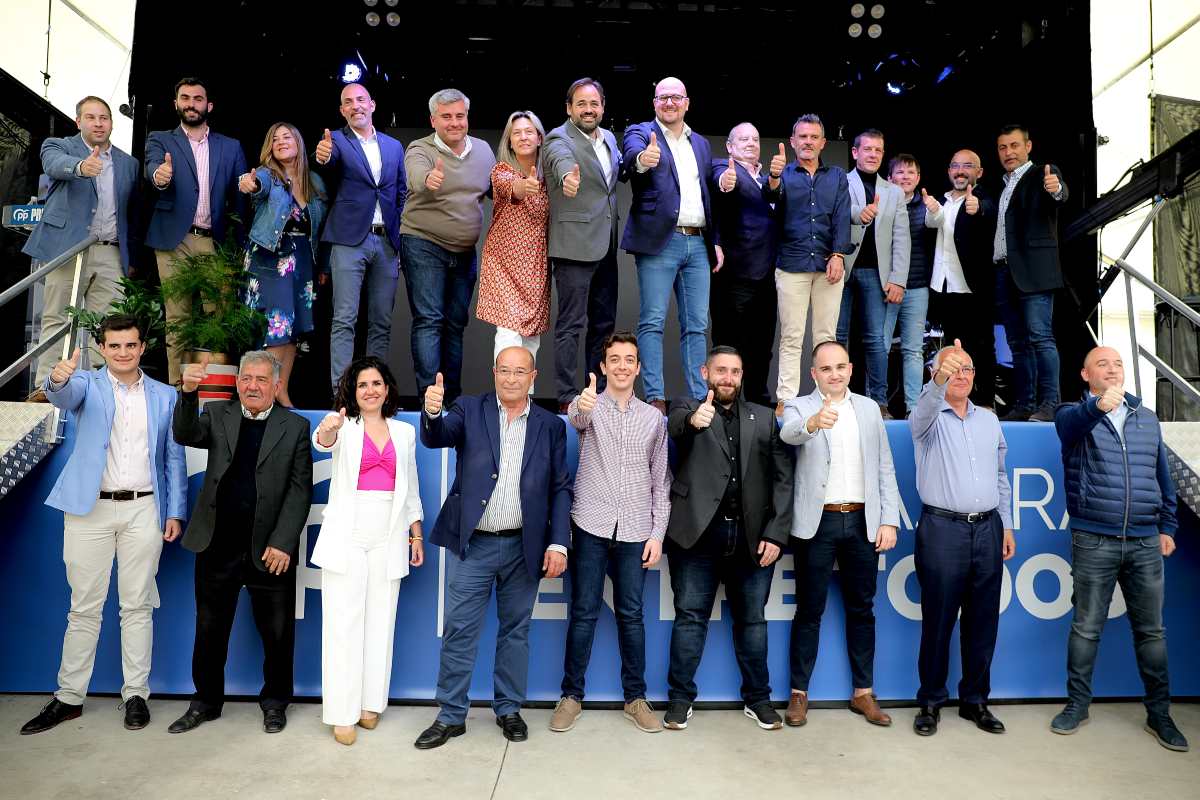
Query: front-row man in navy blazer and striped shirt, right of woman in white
506	522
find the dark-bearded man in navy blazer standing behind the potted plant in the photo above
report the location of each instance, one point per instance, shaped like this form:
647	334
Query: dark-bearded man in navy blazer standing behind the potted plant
196	172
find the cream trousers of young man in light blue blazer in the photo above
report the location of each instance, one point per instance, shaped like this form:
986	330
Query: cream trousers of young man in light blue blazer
130	531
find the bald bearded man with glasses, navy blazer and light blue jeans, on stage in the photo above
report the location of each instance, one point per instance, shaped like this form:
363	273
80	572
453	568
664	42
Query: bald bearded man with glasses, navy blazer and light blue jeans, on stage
670	234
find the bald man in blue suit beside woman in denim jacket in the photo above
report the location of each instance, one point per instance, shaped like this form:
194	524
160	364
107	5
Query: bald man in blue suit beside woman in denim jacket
368	169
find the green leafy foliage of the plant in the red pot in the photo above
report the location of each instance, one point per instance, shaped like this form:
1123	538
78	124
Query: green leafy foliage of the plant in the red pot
220	321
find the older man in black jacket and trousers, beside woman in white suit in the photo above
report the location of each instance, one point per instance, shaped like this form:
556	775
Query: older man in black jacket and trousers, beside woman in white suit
245	531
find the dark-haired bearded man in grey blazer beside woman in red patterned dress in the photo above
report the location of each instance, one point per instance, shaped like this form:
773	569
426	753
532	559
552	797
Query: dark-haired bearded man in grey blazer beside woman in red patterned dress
583	166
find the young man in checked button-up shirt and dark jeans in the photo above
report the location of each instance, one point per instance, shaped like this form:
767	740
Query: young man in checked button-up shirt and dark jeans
619	522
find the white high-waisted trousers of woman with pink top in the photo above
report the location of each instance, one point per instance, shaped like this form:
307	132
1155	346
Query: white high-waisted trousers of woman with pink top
358	611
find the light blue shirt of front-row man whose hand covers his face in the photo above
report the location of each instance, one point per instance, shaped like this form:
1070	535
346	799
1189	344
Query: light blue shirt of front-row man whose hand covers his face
961	461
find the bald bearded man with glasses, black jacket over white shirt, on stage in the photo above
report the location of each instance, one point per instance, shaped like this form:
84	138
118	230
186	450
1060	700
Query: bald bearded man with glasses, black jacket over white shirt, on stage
963	279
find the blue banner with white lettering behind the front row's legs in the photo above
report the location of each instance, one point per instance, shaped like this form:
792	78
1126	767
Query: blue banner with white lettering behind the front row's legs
1030	657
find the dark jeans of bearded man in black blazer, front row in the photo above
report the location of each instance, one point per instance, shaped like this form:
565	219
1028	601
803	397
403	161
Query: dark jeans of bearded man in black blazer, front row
722	556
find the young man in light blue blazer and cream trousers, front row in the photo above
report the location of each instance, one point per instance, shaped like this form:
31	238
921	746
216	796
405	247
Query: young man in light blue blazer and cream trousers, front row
123	492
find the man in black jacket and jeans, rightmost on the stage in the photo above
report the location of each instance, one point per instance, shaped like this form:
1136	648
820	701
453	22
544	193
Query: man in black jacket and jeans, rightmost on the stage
1025	250
